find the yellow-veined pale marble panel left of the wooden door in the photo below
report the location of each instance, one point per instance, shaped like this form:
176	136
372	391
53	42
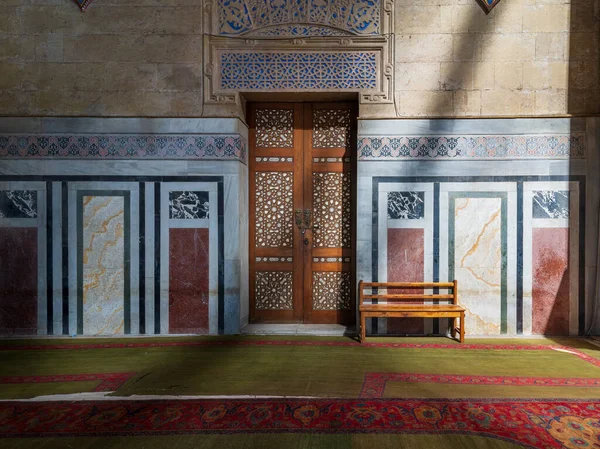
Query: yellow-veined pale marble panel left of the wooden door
103	265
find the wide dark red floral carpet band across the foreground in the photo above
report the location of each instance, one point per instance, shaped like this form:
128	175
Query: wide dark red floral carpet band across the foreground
530	422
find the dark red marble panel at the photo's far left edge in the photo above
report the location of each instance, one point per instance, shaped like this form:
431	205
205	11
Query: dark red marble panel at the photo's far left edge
18	281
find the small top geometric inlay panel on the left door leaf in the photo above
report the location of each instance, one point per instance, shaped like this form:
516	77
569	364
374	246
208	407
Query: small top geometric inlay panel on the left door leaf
275	128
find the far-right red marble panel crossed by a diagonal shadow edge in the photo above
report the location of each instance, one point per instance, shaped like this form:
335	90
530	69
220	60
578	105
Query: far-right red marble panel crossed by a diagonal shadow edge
550	281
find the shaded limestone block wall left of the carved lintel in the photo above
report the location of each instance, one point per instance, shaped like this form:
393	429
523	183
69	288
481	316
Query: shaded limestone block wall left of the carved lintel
140	58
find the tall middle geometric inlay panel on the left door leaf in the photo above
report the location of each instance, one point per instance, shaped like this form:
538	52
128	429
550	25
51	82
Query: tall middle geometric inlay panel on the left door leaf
274	209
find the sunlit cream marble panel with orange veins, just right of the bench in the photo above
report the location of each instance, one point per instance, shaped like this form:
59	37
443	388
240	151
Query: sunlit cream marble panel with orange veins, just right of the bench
478	261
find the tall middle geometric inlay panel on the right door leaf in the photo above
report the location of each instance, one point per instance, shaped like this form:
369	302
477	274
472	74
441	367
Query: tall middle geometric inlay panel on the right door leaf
331	203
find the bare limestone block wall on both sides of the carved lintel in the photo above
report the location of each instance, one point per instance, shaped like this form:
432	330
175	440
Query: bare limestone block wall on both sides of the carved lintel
527	57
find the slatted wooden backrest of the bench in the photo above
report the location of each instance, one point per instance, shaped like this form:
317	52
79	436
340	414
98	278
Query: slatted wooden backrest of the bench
453	286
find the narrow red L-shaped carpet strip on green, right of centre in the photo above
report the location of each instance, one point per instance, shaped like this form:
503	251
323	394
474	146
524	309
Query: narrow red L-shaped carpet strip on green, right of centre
374	383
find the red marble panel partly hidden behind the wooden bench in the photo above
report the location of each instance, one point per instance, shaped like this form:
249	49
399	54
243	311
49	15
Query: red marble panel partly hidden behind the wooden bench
406	261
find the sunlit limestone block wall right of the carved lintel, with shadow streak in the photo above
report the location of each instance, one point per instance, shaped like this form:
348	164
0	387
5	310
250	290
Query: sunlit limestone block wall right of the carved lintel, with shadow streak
526	57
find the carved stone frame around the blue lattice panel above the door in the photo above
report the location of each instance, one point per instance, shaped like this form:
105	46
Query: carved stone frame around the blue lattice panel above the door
220	94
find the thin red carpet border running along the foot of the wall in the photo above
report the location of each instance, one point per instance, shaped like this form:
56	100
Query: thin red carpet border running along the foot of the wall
579	354
